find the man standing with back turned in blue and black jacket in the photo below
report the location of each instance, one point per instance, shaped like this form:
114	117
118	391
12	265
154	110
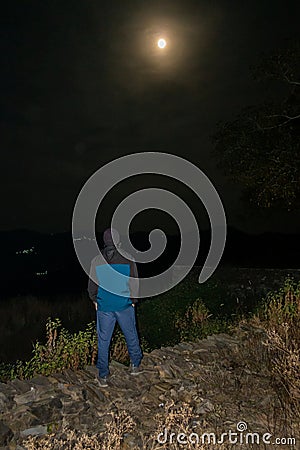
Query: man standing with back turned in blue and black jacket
114	307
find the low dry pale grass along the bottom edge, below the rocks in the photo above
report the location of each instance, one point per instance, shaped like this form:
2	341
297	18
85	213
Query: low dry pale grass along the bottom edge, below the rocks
121	434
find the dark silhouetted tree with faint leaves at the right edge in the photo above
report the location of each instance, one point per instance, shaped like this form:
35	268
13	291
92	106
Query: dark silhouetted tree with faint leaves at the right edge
260	148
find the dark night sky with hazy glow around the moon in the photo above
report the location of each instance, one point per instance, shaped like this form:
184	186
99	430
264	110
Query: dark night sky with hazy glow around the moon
83	82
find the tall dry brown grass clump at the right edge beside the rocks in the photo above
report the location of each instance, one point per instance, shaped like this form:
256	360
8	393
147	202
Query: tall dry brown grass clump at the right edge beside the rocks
272	349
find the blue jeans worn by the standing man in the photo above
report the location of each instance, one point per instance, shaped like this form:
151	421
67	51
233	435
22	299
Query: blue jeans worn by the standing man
105	326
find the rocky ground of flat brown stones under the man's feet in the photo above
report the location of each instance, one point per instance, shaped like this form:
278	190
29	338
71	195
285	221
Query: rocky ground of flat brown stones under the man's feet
219	383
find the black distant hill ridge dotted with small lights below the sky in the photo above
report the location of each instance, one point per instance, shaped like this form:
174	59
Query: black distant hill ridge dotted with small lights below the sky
32	257
